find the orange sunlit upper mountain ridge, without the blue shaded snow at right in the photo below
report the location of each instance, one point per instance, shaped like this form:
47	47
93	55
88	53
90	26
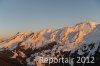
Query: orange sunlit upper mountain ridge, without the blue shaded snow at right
68	34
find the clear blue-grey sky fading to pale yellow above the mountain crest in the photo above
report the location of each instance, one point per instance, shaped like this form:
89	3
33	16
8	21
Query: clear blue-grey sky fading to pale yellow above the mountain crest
34	15
